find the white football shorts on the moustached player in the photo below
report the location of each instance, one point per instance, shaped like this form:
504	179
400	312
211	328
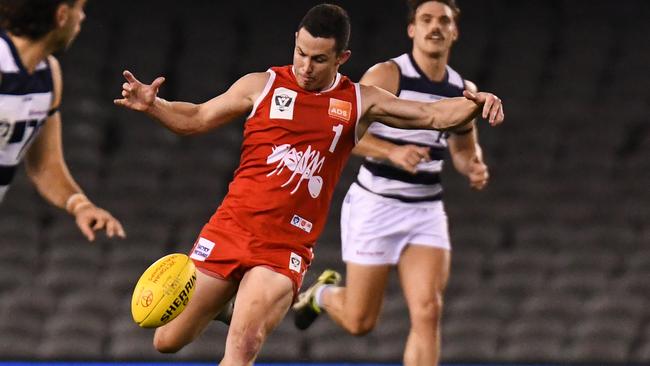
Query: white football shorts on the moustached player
375	229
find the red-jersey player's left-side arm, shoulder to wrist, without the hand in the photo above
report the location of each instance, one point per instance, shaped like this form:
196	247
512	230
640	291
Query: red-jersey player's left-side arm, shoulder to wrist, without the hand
188	118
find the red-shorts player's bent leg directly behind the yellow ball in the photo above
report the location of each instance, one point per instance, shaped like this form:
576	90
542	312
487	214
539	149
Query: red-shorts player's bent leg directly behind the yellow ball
209	297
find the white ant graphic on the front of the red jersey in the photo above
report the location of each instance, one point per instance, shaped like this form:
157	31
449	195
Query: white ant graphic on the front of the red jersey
302	164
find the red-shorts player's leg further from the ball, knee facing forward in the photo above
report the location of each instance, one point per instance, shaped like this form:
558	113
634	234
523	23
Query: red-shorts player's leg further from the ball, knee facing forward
263	298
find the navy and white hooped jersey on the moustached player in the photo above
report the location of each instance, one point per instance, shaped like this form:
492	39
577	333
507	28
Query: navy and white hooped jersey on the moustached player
386	180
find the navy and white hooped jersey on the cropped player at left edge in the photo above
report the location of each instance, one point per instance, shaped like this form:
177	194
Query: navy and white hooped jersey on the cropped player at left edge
25	100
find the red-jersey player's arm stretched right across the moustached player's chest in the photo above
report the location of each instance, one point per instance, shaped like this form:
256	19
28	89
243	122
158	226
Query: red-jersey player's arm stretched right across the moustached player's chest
441	115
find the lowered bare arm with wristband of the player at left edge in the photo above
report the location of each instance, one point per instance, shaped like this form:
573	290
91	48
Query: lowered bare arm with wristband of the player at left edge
48	171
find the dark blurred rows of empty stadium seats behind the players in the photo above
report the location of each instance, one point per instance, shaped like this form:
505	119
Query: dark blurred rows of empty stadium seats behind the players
550	263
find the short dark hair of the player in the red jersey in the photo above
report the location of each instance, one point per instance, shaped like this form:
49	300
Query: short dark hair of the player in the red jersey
328	21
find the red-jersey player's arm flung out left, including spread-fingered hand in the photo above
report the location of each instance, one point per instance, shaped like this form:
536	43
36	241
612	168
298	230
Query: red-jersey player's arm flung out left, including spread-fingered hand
189	118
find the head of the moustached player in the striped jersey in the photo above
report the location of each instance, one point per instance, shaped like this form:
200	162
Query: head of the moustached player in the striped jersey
434	29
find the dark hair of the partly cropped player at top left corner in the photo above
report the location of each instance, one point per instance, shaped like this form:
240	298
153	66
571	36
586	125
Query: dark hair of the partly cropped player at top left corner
29	18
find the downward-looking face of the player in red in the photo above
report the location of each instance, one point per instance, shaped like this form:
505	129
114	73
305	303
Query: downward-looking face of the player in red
315	61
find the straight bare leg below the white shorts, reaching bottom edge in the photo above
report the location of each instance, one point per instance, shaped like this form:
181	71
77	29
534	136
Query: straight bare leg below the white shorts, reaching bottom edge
423	274
